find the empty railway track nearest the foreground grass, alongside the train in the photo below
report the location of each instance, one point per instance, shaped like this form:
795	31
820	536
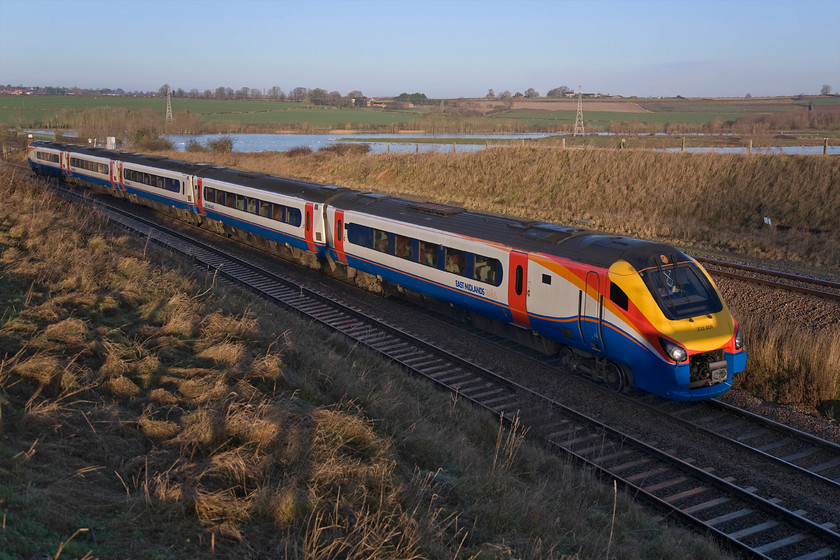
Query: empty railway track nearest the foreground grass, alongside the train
737	516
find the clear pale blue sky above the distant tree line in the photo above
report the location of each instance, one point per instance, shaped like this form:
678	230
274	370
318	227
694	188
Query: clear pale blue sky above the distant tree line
442	48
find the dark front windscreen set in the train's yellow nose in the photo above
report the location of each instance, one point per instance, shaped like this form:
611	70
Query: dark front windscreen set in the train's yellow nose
680	289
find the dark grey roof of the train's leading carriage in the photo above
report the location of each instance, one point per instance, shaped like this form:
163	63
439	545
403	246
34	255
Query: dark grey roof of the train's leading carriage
583	245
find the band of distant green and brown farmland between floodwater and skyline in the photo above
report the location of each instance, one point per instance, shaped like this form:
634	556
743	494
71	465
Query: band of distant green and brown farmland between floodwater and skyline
211	115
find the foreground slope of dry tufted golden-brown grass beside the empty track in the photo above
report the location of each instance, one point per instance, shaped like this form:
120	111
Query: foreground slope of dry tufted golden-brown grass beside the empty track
146	413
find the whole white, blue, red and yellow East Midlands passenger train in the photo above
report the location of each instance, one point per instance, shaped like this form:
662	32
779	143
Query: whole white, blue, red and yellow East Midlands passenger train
626	312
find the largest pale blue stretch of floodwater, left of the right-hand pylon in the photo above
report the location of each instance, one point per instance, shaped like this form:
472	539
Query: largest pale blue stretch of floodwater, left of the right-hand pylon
286	142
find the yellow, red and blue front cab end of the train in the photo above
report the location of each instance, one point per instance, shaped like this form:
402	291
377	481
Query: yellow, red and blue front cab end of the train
686	346
